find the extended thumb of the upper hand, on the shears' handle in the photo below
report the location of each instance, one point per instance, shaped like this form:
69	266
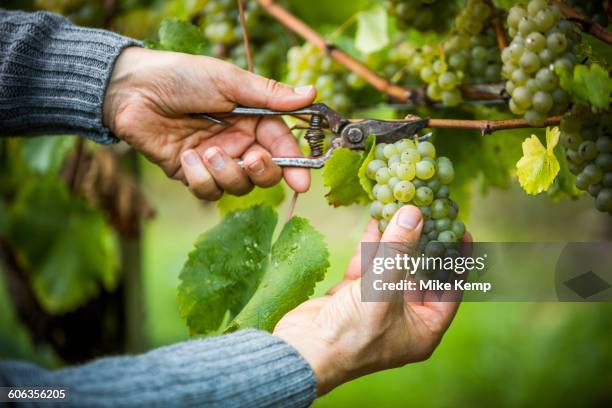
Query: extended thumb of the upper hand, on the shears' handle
255	91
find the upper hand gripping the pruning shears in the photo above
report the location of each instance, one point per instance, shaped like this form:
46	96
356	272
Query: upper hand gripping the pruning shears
148	103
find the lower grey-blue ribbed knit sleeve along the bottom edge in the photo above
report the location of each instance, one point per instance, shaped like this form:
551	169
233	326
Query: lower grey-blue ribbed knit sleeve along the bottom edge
248	368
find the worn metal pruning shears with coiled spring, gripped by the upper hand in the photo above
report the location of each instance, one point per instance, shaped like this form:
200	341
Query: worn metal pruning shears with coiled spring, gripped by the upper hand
347	133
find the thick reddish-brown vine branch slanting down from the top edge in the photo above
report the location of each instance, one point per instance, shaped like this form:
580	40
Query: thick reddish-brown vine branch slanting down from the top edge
417	95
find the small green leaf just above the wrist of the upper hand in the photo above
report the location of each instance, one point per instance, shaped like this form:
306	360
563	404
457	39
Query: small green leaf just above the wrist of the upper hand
180	36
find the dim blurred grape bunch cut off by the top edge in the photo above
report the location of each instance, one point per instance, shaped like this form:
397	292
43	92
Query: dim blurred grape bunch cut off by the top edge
424	15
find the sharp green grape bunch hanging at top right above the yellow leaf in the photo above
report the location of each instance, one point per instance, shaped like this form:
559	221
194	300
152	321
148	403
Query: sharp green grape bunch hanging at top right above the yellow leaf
542	44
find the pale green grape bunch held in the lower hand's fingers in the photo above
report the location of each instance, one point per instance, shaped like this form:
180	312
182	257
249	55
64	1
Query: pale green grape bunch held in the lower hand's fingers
409	173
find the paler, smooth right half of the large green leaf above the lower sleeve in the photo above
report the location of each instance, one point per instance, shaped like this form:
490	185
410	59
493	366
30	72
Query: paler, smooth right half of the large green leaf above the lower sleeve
299	260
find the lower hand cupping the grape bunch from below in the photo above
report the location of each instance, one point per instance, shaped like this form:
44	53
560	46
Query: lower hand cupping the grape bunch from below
342	337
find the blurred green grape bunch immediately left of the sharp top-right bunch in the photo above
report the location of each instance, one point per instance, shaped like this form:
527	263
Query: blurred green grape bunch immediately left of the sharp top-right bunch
468	56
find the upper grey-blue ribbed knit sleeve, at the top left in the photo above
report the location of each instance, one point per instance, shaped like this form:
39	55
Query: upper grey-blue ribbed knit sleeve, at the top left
53	75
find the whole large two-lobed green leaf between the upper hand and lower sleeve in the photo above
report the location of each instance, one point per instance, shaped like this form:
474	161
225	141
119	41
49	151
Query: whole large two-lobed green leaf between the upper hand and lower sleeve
231	273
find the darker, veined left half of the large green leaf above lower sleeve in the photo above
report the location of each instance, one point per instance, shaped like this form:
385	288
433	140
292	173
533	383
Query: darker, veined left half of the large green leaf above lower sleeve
223	270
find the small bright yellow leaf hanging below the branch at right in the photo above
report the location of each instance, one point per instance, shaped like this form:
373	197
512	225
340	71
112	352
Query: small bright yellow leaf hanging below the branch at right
538	167
